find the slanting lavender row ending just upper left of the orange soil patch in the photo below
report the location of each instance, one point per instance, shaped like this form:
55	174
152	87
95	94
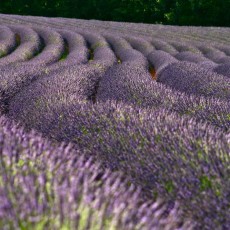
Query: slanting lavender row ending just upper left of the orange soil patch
125	52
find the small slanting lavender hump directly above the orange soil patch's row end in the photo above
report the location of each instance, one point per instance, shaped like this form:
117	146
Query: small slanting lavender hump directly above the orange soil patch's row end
140	44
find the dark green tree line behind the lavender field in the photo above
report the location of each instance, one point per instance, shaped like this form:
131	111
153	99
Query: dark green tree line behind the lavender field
178	12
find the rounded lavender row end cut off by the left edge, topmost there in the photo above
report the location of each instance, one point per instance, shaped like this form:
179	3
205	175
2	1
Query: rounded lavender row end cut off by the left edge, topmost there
7	41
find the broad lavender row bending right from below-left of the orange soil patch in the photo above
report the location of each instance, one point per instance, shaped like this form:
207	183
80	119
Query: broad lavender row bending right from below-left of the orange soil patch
133	85
